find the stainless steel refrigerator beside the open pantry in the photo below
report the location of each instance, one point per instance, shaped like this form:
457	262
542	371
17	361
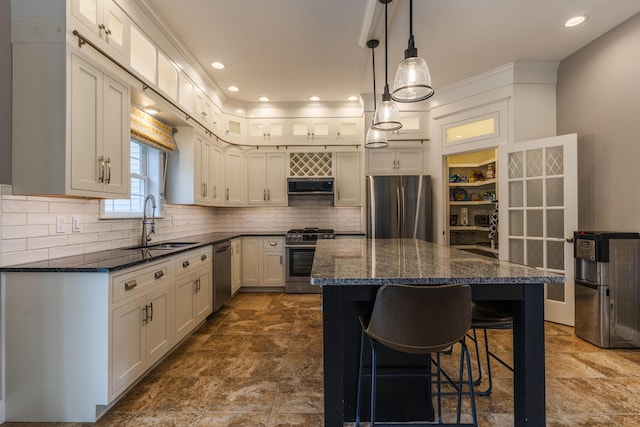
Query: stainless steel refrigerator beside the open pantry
399	207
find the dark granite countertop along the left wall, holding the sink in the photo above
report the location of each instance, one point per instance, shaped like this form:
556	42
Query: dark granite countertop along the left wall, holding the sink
118	259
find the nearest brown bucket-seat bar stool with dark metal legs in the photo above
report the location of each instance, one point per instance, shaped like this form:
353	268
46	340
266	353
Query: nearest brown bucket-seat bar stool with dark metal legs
419	320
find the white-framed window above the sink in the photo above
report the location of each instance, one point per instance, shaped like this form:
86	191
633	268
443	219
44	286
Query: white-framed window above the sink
152	176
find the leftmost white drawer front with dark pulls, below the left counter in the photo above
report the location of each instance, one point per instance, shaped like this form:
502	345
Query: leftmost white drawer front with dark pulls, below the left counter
139	280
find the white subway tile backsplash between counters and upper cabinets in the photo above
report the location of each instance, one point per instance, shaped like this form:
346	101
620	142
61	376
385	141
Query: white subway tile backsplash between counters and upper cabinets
28	224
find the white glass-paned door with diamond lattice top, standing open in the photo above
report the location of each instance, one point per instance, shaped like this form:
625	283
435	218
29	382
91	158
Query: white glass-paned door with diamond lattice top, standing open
538	200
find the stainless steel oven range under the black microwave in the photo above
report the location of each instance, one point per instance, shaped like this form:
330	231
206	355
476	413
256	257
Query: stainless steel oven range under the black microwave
300	246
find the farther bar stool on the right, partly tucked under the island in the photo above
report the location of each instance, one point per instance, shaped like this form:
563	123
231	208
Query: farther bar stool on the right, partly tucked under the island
487	315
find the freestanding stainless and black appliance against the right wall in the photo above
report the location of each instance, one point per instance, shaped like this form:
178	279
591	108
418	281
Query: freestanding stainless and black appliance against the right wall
607	288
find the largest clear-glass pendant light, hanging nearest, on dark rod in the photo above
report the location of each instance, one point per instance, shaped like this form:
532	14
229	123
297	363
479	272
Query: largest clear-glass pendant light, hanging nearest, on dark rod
413	79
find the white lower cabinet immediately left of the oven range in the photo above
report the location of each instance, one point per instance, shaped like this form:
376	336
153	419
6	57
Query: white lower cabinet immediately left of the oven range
263	261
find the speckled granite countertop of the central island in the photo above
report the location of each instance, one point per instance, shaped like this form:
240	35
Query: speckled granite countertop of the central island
409	261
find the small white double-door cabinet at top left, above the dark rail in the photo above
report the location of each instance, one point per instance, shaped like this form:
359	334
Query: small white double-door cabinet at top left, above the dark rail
108	25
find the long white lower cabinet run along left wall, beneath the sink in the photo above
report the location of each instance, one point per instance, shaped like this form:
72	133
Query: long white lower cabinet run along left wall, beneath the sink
79	340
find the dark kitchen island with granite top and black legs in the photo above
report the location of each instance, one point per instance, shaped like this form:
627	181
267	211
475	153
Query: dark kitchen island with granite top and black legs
351	270
